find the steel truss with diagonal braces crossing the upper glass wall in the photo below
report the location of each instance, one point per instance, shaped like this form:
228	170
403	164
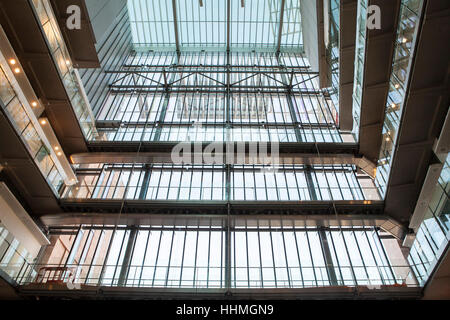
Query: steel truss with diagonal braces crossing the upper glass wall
212	78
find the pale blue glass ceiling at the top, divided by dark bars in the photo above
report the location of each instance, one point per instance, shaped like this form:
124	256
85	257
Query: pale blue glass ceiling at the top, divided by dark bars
202	24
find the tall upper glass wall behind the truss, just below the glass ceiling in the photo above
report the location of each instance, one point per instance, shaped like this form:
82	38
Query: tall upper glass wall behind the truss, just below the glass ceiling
200	97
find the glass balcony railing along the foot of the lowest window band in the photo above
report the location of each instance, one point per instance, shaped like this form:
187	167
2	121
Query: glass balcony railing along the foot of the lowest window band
212	277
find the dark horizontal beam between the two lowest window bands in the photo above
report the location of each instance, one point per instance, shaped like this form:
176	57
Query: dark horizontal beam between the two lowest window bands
150	207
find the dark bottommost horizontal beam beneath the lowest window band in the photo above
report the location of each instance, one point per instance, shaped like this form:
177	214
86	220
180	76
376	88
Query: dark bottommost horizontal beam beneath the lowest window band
108	293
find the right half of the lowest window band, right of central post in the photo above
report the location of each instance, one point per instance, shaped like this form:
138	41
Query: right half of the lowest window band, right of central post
309	257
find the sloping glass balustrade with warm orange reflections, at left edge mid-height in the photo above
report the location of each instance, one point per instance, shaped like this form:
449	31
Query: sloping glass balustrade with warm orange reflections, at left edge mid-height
15	112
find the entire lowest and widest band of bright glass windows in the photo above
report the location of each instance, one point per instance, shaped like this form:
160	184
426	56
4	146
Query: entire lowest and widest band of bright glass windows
261	254
